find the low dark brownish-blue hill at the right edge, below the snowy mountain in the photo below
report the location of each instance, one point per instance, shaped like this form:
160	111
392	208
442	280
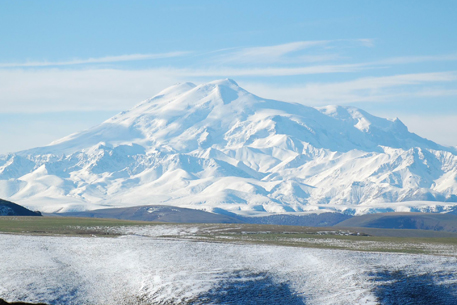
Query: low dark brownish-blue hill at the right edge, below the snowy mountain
422	221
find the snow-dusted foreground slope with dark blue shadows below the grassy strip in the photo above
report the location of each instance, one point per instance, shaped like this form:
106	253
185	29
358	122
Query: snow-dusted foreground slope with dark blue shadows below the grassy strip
135	269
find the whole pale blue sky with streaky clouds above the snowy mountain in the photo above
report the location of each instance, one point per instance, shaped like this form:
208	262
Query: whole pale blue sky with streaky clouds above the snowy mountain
68	65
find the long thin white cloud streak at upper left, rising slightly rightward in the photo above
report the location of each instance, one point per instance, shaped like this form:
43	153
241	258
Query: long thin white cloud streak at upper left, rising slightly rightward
106	59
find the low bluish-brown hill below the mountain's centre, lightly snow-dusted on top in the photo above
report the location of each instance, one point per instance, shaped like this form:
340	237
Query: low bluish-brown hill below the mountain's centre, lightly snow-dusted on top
157	213
